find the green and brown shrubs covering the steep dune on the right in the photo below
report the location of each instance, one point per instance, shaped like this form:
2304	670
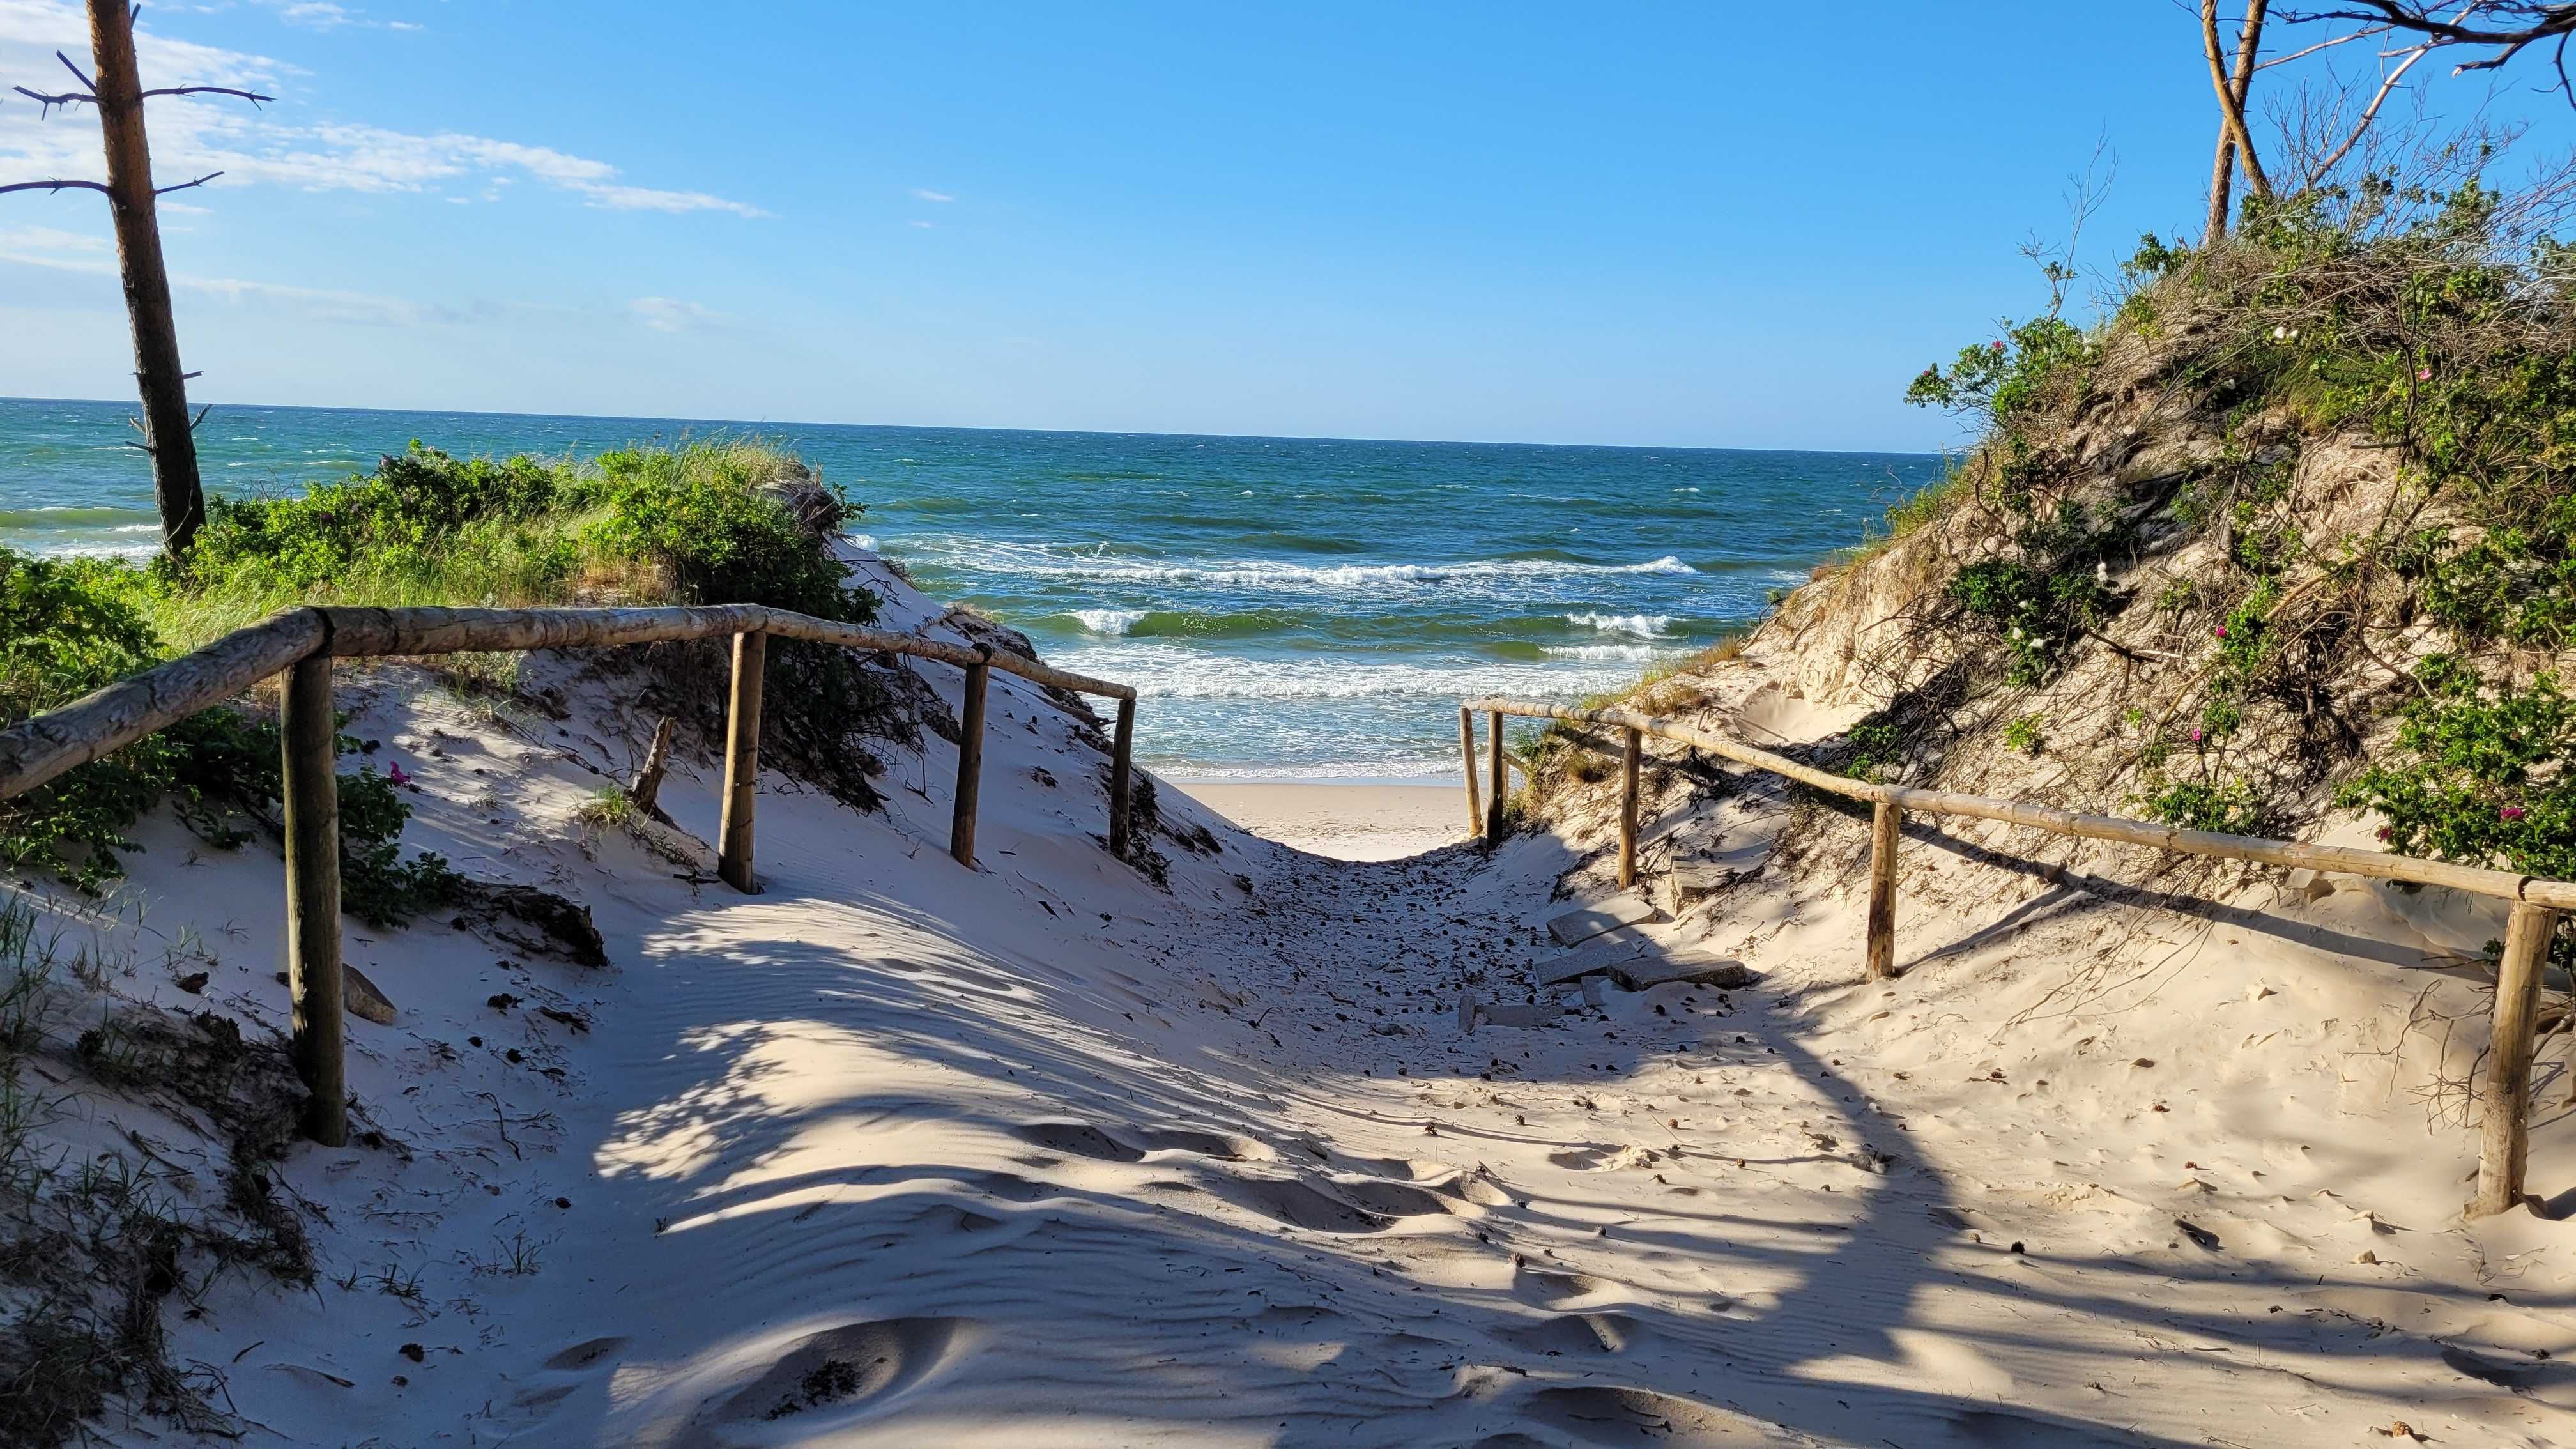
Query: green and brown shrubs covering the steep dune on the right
2423	321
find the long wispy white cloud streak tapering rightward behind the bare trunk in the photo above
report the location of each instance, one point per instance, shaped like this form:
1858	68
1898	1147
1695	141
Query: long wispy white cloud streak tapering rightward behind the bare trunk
267	148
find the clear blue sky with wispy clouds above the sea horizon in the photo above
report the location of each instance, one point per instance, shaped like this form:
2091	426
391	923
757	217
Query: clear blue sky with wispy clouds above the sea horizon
1526	223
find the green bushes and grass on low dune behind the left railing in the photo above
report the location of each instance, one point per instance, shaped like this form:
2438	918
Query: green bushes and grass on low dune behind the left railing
694	525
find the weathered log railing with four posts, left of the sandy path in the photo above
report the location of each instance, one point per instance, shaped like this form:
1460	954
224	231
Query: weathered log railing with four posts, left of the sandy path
303	646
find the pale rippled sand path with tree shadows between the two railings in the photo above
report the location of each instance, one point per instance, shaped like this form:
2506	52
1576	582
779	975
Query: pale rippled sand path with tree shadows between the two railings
1042	1154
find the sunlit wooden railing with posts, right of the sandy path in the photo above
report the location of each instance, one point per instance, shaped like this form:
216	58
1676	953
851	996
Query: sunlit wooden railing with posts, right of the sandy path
2536	904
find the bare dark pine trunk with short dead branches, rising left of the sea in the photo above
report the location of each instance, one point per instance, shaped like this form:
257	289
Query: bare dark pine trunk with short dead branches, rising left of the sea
120	97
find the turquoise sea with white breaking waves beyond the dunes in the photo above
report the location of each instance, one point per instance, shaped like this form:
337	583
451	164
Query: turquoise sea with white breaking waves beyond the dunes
1289	607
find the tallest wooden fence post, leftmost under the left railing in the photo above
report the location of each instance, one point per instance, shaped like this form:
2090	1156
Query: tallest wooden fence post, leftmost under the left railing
313	899
